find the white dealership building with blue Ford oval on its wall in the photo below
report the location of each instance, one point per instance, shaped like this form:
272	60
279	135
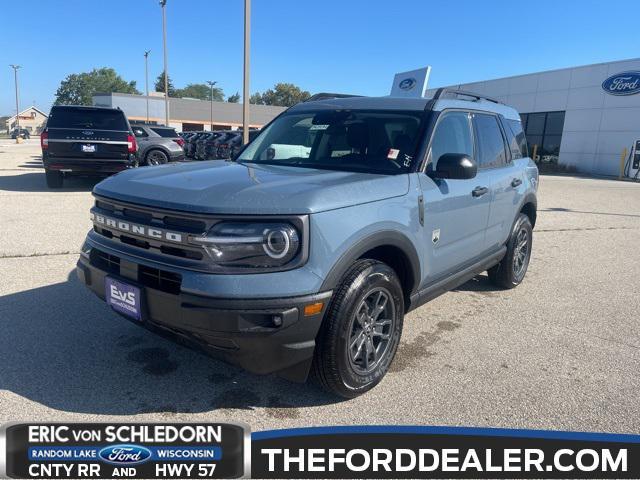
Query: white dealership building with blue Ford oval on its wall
581	117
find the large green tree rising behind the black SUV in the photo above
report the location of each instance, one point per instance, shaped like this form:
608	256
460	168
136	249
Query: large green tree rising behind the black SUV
78	88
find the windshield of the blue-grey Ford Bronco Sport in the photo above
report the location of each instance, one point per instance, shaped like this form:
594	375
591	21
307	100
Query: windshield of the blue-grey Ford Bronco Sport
352	140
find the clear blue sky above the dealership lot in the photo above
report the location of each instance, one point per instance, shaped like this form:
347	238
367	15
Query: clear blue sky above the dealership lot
349	46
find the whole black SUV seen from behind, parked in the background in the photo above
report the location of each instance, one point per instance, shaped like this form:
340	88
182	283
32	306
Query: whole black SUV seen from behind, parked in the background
86	141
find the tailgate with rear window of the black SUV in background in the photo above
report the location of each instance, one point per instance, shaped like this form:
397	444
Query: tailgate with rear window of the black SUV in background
88	133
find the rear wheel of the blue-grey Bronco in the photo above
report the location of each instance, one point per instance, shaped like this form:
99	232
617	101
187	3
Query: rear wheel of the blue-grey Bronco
511	270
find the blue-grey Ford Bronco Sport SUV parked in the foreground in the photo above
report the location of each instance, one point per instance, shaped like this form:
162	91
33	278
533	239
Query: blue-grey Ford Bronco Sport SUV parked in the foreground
305	253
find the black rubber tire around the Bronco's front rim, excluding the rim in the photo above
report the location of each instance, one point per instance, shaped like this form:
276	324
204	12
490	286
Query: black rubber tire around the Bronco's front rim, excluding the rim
377	275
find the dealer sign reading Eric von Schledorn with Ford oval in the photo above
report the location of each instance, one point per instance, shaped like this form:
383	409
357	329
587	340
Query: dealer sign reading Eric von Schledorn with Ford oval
124	450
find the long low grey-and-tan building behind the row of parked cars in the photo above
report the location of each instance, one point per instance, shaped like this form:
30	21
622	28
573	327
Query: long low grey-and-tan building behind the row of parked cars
186	114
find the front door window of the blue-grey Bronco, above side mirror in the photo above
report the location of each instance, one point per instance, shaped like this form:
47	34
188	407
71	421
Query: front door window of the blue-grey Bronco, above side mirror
452	135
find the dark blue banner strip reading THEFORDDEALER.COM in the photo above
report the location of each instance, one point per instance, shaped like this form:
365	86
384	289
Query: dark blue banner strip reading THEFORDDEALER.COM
442	452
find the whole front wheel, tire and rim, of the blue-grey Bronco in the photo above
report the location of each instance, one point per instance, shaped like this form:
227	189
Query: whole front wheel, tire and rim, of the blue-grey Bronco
349	372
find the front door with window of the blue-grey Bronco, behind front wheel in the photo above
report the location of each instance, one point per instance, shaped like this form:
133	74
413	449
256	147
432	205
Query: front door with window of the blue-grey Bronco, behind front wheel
455	219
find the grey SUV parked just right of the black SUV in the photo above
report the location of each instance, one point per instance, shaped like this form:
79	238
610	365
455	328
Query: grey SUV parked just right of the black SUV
158	144
